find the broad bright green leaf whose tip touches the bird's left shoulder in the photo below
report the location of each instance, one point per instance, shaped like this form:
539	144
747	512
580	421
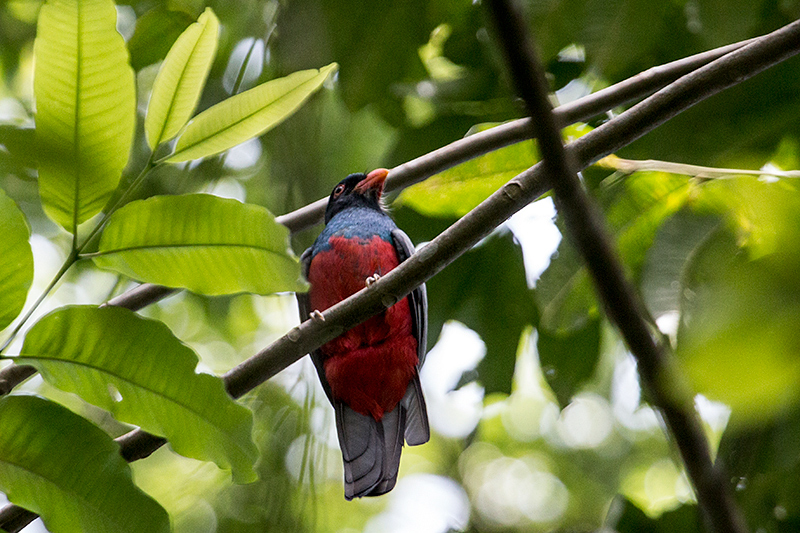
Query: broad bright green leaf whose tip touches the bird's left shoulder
200	242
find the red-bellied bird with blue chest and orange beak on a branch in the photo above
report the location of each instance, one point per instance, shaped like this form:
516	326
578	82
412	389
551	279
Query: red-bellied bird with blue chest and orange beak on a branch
370	373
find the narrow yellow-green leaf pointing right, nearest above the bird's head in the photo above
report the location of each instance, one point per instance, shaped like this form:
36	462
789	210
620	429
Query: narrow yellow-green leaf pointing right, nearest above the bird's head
248	114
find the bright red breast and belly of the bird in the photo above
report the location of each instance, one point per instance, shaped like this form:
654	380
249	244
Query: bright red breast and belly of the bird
370	366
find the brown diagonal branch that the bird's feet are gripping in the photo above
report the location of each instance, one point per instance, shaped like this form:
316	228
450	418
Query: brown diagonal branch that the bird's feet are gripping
478	223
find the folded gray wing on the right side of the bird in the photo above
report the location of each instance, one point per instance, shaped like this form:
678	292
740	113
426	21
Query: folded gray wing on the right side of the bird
417	429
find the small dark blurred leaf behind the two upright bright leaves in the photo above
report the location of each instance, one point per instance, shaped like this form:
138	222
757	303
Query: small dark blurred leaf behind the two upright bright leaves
155	32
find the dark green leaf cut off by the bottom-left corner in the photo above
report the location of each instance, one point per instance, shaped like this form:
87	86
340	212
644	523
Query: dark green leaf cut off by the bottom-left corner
70	472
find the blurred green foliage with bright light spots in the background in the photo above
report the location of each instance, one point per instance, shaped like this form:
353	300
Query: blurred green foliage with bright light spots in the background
537	415
